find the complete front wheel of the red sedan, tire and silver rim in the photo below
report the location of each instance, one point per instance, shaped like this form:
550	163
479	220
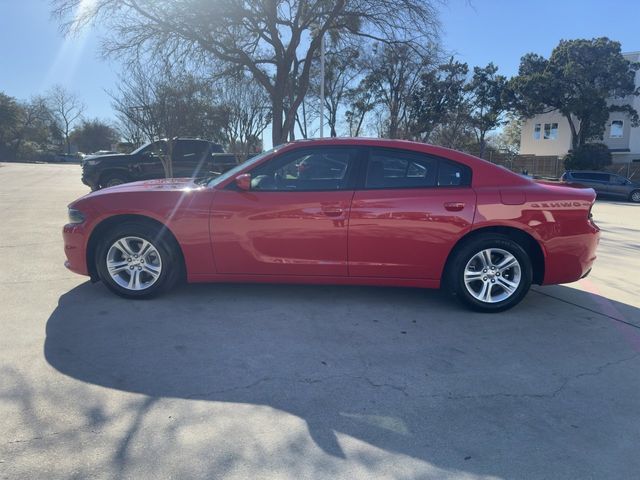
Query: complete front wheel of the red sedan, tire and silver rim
137	261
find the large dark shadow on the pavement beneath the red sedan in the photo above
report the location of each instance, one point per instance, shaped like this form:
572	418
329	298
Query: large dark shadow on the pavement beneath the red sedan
405	370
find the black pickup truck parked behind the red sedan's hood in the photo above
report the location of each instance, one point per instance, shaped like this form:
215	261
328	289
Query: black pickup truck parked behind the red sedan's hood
190	158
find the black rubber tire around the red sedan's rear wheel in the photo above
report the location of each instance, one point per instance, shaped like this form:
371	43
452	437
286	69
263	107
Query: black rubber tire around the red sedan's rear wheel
467	251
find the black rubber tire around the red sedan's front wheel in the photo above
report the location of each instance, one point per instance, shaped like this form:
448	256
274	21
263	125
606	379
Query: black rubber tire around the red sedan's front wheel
170	259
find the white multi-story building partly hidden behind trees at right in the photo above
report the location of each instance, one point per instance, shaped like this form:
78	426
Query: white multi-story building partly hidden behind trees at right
549	134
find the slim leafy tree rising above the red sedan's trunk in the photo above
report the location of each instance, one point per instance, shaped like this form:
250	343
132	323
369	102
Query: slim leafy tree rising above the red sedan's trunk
486	105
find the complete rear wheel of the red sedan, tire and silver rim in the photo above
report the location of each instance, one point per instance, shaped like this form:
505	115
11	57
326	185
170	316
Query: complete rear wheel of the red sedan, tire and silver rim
491	273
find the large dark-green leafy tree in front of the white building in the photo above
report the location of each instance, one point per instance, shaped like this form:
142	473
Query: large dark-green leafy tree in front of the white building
585	80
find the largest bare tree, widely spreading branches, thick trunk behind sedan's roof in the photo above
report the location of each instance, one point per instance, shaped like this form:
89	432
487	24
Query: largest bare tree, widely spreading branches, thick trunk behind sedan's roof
274	40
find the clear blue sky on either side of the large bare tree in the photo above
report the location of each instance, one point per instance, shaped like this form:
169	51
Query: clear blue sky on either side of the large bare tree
34	55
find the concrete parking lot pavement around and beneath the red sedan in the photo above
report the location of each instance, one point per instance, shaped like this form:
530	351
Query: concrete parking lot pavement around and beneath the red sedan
268	381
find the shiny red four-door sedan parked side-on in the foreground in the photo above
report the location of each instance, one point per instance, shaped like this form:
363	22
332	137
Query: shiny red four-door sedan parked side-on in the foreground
341	211
